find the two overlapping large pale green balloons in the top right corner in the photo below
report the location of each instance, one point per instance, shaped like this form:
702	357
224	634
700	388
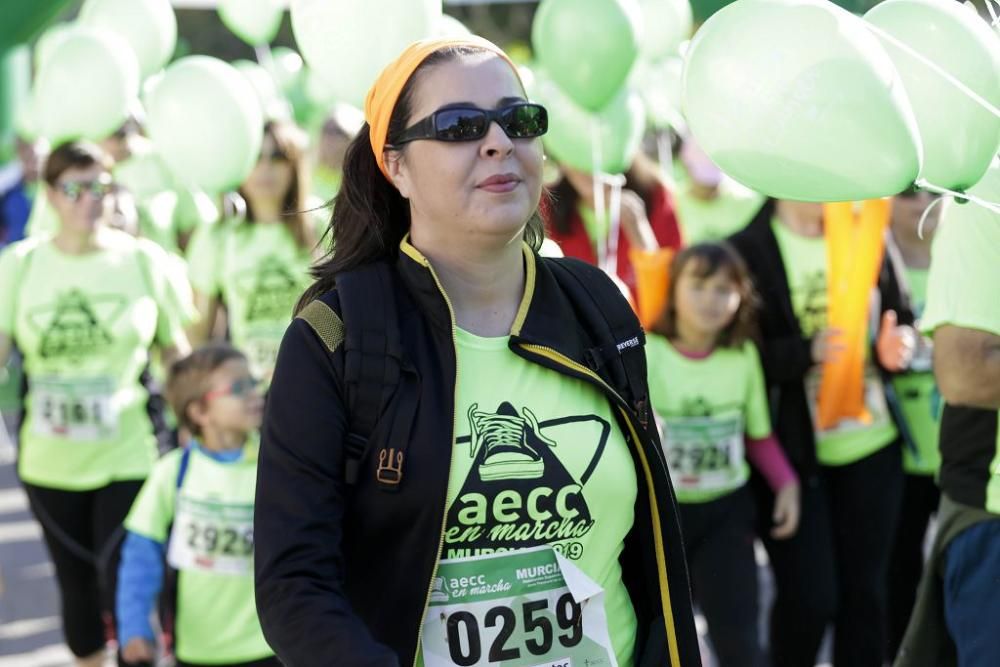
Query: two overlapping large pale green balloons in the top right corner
800	99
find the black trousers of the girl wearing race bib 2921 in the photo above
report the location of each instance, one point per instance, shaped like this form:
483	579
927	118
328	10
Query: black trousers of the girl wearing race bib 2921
718	543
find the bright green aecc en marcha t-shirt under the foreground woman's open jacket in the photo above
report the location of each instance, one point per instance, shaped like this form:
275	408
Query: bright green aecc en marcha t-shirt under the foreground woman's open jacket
539	460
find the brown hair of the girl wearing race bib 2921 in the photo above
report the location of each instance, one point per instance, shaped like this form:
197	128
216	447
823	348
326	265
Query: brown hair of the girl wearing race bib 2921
708	258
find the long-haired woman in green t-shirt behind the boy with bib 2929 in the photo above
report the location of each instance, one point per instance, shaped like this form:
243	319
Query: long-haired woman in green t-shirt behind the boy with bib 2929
256	263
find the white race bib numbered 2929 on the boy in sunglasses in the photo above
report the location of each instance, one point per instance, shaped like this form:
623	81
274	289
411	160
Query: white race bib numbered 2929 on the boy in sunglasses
212	537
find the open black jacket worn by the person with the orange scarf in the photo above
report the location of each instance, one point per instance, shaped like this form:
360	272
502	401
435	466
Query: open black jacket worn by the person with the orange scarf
785	354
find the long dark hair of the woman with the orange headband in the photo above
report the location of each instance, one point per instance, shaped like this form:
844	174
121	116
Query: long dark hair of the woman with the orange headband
370	217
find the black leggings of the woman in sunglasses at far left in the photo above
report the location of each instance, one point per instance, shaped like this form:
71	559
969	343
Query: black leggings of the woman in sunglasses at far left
83	532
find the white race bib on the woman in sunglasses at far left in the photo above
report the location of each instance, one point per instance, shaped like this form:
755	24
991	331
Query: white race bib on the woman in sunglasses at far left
75	409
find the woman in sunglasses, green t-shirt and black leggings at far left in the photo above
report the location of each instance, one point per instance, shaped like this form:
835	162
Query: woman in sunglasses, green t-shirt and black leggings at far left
85	307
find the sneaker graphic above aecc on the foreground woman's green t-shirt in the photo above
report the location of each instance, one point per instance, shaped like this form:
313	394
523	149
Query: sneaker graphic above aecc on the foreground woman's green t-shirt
510	442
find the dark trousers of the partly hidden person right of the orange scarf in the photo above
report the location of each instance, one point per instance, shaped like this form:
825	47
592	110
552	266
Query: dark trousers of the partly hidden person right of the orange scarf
920	500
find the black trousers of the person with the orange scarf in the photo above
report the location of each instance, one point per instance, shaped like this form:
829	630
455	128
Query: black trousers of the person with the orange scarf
835	568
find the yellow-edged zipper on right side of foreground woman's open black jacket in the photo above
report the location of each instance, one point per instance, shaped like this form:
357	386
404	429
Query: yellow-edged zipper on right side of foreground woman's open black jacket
661	561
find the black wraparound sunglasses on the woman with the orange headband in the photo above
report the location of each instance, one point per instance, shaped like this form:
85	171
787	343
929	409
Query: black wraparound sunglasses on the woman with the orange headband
523	120
